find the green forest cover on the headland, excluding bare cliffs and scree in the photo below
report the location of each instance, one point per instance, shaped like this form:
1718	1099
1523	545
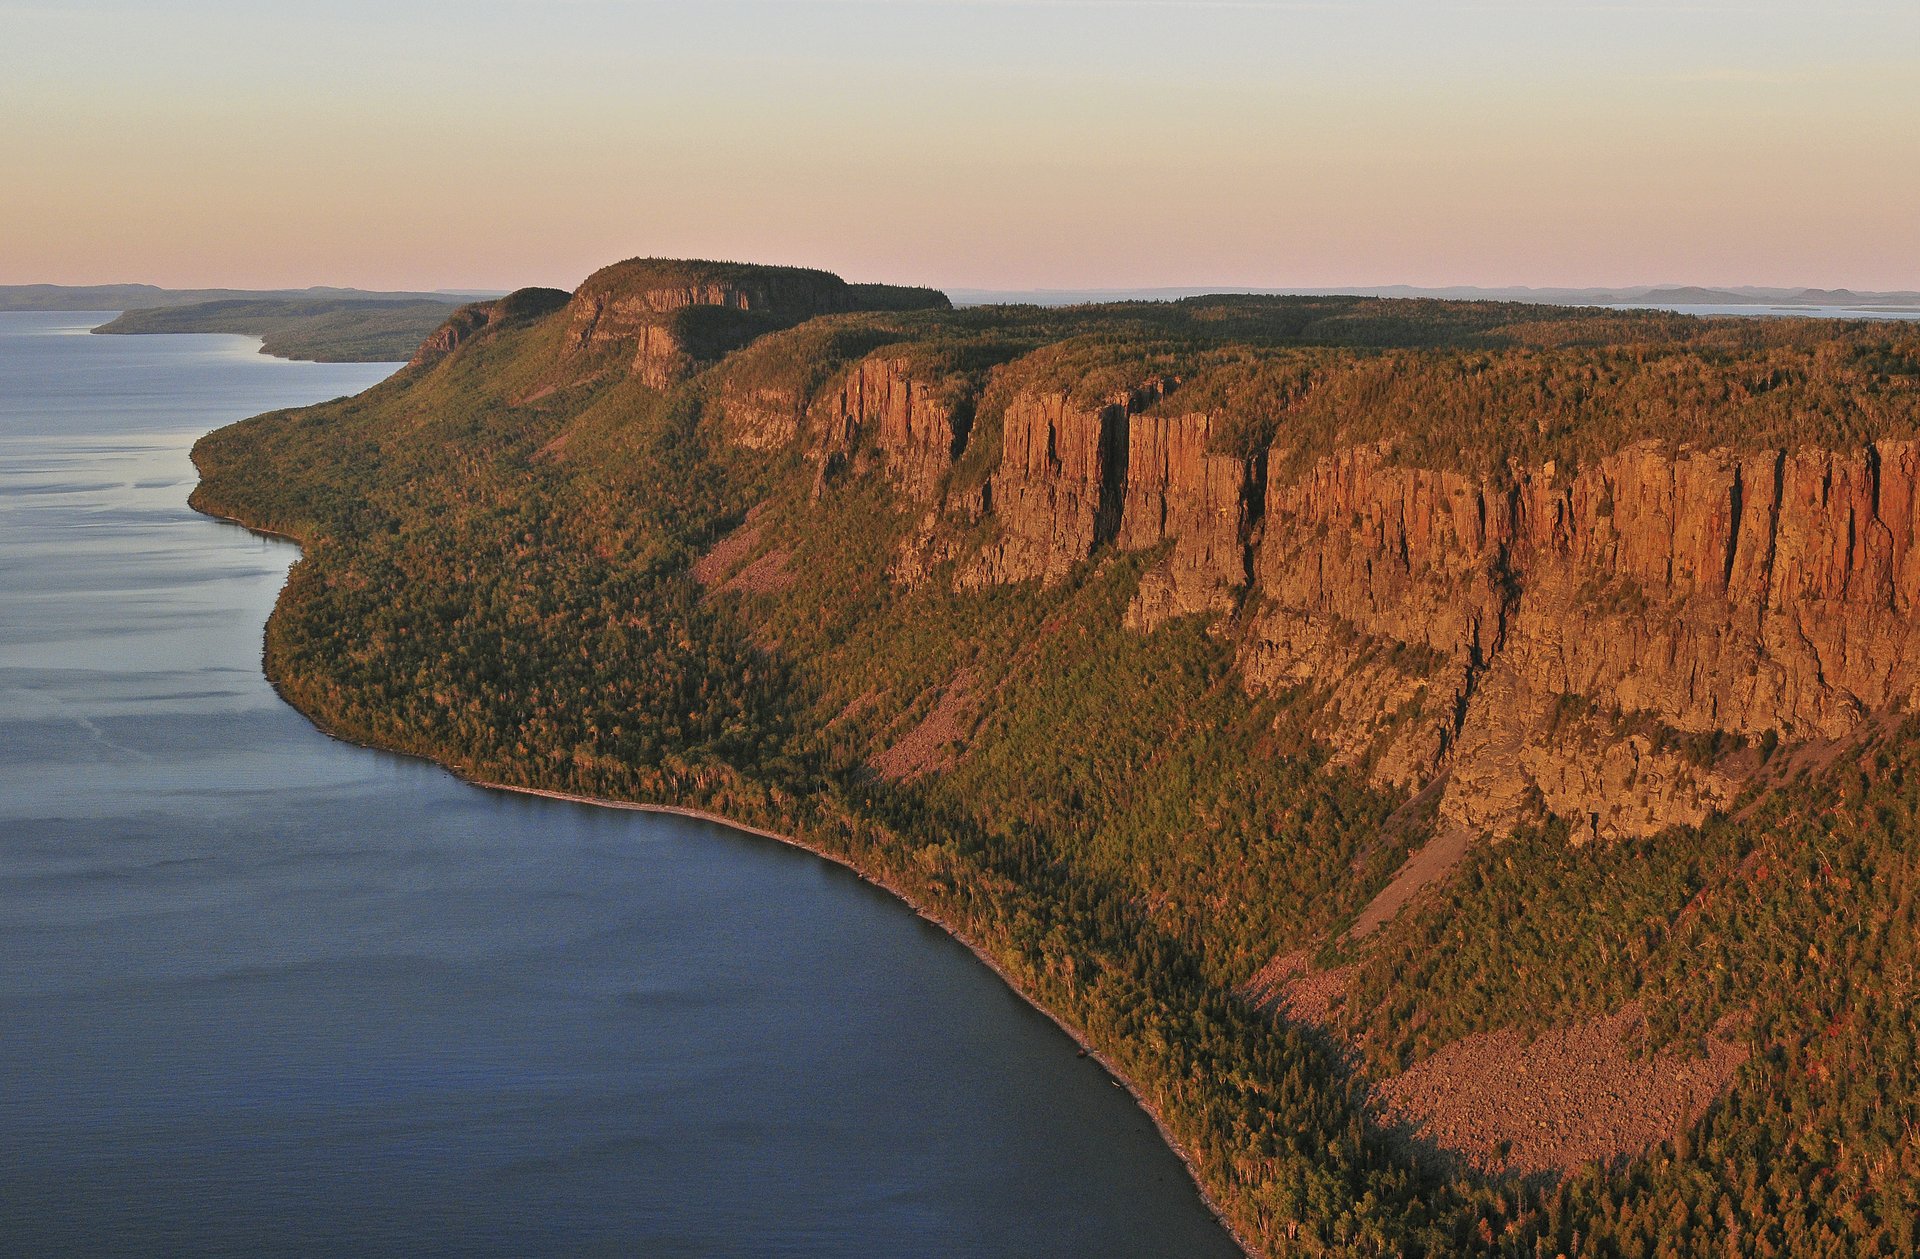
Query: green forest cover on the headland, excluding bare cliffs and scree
504	586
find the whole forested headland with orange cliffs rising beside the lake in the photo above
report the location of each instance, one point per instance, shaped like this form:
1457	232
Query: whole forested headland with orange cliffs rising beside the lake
1341	711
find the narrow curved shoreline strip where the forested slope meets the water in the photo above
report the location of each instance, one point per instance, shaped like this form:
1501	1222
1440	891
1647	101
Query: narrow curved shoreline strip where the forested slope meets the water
681	811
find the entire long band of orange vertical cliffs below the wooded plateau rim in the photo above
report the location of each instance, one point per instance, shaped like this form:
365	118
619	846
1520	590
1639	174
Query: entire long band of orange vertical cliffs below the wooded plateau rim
1602	644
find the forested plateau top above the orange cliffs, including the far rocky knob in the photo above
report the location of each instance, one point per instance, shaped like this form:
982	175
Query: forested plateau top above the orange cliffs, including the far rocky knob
1479	387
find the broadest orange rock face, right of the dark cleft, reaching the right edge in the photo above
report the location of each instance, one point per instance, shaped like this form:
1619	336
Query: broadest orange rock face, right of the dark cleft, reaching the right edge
1669	594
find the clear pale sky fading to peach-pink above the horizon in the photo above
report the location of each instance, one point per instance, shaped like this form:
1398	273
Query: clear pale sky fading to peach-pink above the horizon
963	143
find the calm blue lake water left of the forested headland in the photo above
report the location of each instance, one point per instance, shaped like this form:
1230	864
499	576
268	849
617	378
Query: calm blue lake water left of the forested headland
270	995
